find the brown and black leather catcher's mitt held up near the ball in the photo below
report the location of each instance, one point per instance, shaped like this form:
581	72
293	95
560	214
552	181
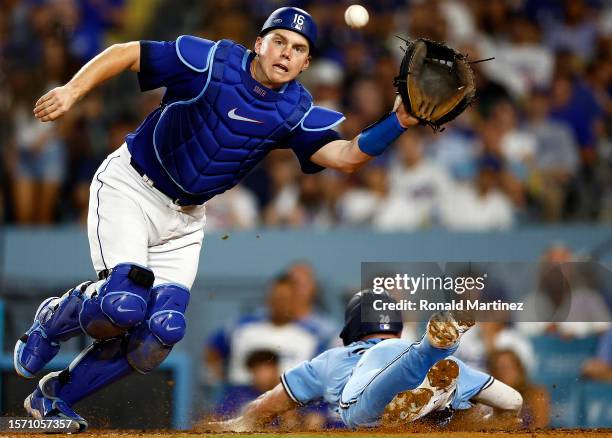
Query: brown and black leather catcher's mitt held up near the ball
436	83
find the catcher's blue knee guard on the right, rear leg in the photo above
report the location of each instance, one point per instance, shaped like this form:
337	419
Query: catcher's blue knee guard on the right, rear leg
151	342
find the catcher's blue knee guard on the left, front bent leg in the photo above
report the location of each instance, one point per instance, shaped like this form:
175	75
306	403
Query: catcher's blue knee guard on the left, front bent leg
119	303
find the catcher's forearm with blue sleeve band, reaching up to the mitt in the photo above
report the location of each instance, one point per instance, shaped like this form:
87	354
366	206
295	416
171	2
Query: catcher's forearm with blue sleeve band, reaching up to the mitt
350	155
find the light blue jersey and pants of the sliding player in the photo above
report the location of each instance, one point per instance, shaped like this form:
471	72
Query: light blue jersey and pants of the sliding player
359	380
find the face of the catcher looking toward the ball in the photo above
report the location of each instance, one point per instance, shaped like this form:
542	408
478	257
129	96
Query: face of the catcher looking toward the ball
281	56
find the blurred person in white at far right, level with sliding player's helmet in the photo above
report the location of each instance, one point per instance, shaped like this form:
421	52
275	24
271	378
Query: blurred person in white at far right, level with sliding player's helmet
564	303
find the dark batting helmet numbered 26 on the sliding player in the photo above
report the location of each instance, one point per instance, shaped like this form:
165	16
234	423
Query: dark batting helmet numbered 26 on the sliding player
377	321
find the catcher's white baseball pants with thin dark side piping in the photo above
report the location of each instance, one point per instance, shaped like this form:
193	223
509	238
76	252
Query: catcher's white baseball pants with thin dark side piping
130	221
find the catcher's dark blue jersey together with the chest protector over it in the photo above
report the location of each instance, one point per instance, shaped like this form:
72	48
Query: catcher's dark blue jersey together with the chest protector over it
215	122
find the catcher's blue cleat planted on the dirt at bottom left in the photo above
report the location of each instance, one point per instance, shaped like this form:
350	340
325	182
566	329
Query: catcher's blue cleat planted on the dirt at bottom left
42	405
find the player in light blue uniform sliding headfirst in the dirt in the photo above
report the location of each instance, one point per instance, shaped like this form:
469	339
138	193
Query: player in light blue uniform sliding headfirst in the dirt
378	379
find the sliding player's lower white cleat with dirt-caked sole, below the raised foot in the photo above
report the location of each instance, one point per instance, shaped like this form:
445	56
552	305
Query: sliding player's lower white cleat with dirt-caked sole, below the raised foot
433	394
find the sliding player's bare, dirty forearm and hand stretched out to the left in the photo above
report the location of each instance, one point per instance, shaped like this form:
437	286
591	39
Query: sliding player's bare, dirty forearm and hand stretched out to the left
259	412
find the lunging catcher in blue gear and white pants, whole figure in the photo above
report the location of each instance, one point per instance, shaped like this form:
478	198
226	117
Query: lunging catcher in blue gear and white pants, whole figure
224	109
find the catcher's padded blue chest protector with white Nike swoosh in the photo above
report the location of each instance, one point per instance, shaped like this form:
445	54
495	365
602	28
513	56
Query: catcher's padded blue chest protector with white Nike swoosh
207	144
